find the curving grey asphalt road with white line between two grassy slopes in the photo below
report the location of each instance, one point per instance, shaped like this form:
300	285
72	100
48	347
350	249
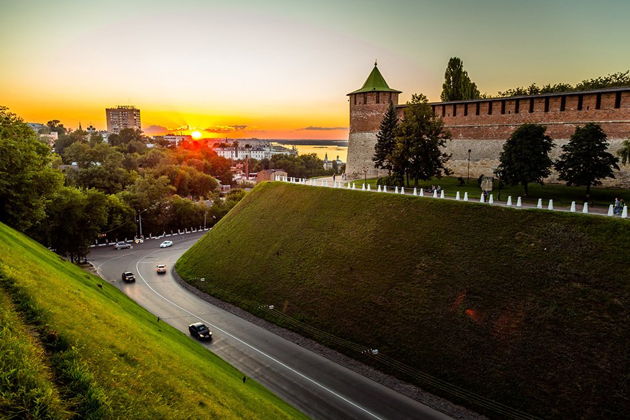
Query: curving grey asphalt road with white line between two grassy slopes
317	386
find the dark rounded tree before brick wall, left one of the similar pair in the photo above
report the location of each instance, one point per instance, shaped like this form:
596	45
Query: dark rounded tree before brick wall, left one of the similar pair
525	156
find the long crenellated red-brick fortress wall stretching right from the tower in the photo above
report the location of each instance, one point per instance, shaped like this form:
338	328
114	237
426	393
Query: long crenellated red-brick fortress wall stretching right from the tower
482	126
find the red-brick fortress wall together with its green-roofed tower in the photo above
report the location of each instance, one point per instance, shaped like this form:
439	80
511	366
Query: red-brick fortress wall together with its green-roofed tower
482	126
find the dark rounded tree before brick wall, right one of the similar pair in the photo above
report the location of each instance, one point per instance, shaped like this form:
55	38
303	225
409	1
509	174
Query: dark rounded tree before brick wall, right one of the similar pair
584	160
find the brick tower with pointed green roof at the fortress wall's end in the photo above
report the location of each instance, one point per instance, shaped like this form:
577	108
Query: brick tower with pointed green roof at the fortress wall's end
367	107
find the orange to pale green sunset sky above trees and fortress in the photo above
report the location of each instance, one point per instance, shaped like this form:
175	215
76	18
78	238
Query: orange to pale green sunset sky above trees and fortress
281	69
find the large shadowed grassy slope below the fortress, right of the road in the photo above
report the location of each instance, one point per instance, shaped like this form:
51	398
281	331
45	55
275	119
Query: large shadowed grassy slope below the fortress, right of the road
526	307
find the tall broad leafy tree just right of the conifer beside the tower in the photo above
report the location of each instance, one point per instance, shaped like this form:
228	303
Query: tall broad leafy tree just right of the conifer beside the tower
420	137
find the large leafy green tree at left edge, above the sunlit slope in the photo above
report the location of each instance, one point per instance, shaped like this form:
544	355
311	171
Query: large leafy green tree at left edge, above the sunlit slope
28	180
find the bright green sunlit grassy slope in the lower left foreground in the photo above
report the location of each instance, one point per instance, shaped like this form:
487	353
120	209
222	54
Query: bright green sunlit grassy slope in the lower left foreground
69	348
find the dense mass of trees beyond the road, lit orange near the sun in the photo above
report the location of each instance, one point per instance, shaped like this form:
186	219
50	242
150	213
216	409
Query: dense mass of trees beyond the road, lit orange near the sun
90	189
